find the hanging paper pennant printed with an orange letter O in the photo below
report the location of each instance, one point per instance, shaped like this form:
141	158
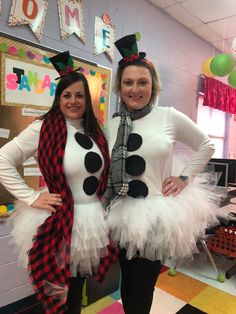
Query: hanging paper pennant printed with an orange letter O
29	12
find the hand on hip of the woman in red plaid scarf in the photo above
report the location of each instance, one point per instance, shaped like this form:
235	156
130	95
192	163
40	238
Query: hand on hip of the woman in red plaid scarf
47	200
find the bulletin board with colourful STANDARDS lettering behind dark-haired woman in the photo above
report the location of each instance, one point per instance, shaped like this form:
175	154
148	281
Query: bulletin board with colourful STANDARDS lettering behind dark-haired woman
27	87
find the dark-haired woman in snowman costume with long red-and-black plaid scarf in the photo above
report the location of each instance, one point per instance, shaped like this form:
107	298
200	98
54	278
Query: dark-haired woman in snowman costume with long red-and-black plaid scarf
62	229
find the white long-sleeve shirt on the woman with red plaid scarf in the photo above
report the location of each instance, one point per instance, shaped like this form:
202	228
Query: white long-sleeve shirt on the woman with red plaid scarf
75	161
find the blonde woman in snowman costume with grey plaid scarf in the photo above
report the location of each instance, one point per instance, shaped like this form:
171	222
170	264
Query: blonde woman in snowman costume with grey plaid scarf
157	209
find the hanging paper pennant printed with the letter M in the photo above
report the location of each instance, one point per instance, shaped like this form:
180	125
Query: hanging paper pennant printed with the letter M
71	16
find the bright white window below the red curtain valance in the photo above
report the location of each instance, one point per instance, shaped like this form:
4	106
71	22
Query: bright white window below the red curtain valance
212	122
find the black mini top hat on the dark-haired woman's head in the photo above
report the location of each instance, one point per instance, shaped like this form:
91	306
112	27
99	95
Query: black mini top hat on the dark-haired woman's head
63	63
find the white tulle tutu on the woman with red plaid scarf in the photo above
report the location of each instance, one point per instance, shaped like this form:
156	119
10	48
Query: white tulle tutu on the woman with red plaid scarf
89	234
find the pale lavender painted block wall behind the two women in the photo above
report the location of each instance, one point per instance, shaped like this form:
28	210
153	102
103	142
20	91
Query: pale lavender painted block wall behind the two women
177	53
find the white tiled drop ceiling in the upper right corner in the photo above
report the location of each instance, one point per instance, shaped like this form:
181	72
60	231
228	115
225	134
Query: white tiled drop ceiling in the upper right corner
212	20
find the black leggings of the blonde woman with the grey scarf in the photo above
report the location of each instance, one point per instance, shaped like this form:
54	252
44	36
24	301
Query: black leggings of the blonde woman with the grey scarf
138	279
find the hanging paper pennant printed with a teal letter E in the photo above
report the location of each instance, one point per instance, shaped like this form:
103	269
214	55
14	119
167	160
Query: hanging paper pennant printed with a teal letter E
104	37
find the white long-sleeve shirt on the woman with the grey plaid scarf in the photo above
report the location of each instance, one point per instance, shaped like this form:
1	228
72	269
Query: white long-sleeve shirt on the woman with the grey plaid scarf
159	131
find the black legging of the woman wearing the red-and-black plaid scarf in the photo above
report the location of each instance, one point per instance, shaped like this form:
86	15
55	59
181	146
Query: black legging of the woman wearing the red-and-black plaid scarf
74	296
